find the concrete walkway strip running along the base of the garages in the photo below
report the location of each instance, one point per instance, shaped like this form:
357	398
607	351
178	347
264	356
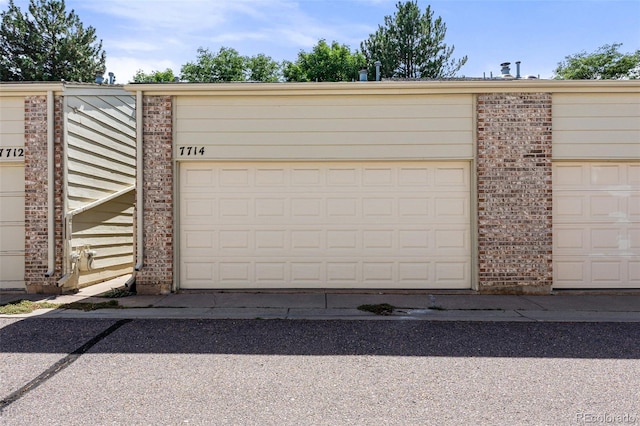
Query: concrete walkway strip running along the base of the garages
436	306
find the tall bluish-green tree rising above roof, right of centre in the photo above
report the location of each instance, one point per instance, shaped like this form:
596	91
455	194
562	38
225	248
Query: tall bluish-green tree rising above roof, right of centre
411	44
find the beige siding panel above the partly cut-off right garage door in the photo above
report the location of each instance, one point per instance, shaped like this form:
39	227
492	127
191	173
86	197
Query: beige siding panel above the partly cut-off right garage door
596	126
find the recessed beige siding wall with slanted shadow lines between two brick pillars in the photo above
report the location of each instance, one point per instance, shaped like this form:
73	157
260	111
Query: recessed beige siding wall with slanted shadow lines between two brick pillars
100	142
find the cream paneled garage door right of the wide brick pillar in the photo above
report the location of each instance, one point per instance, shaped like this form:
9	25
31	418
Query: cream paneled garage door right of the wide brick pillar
596	225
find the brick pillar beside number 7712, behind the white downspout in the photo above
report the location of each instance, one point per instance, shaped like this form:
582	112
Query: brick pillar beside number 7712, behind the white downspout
36	195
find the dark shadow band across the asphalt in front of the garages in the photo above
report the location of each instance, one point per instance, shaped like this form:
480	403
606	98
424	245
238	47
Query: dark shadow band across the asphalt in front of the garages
340	337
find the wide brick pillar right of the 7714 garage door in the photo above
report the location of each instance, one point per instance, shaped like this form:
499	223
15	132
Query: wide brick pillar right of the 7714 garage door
514	193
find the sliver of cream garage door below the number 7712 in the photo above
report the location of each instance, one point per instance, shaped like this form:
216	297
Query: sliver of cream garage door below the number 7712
12	226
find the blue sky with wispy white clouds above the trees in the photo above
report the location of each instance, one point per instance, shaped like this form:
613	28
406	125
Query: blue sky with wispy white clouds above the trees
159	34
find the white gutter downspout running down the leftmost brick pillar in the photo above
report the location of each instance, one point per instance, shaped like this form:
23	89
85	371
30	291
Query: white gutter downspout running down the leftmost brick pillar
51	234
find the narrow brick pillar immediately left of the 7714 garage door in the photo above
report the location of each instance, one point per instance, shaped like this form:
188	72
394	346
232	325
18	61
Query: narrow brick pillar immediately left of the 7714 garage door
156	275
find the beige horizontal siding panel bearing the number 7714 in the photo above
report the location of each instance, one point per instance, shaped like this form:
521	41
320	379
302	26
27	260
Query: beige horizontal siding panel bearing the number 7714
327	127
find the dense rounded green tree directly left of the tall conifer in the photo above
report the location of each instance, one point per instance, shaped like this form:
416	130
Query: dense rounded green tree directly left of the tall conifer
325	62
